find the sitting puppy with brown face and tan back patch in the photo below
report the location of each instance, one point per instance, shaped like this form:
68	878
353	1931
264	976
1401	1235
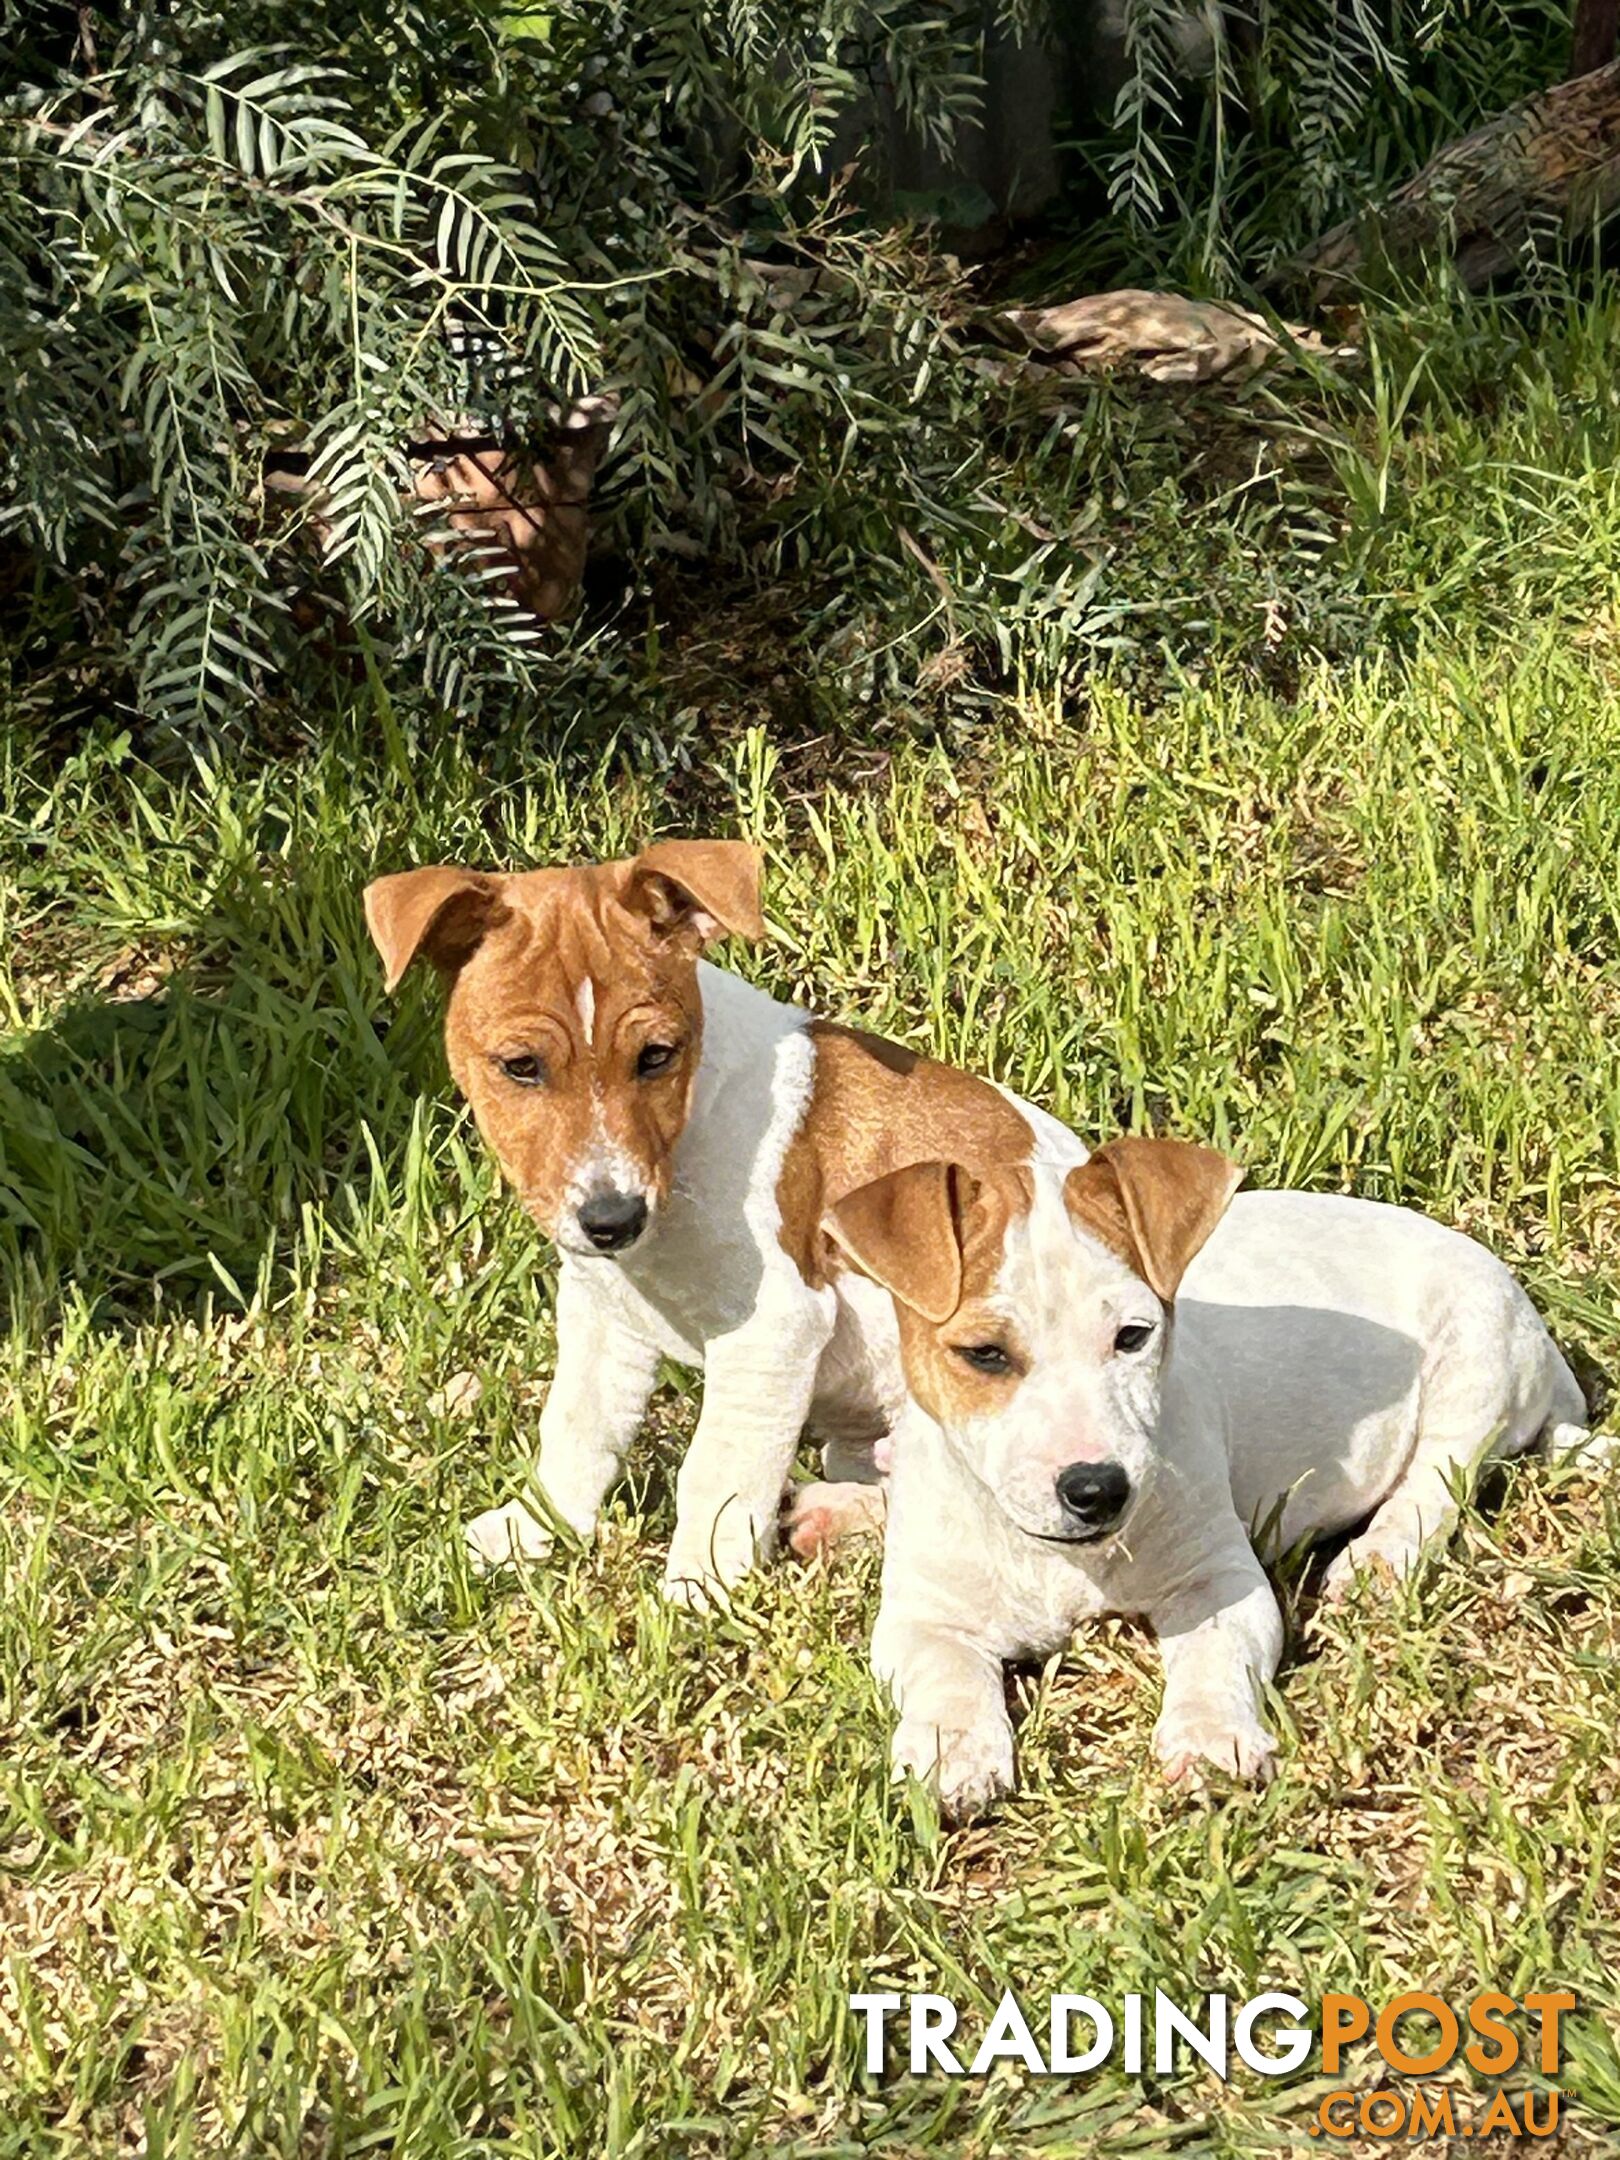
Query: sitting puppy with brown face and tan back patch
681	1137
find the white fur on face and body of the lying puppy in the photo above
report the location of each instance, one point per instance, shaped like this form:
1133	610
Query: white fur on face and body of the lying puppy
1327	1360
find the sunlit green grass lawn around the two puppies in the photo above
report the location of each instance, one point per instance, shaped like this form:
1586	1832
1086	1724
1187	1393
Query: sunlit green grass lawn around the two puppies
310	1844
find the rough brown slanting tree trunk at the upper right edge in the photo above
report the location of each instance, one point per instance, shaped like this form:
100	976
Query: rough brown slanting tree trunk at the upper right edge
1556	157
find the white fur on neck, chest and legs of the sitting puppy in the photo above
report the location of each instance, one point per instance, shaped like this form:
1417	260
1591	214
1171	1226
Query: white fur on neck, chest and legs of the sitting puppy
712	1286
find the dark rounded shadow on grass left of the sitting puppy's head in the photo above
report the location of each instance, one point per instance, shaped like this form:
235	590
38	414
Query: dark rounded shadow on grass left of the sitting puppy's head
163	1148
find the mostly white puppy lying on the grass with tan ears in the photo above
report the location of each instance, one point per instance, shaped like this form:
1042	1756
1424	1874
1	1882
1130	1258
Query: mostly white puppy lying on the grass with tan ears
1118	1373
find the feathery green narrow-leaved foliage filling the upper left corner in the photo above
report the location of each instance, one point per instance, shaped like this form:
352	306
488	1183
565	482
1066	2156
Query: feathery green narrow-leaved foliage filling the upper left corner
312	230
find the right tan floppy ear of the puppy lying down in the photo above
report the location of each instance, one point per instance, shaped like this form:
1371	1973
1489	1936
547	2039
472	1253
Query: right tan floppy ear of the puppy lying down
1155	1204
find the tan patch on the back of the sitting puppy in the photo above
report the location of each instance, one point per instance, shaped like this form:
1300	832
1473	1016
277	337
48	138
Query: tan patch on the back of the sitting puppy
878	1109
